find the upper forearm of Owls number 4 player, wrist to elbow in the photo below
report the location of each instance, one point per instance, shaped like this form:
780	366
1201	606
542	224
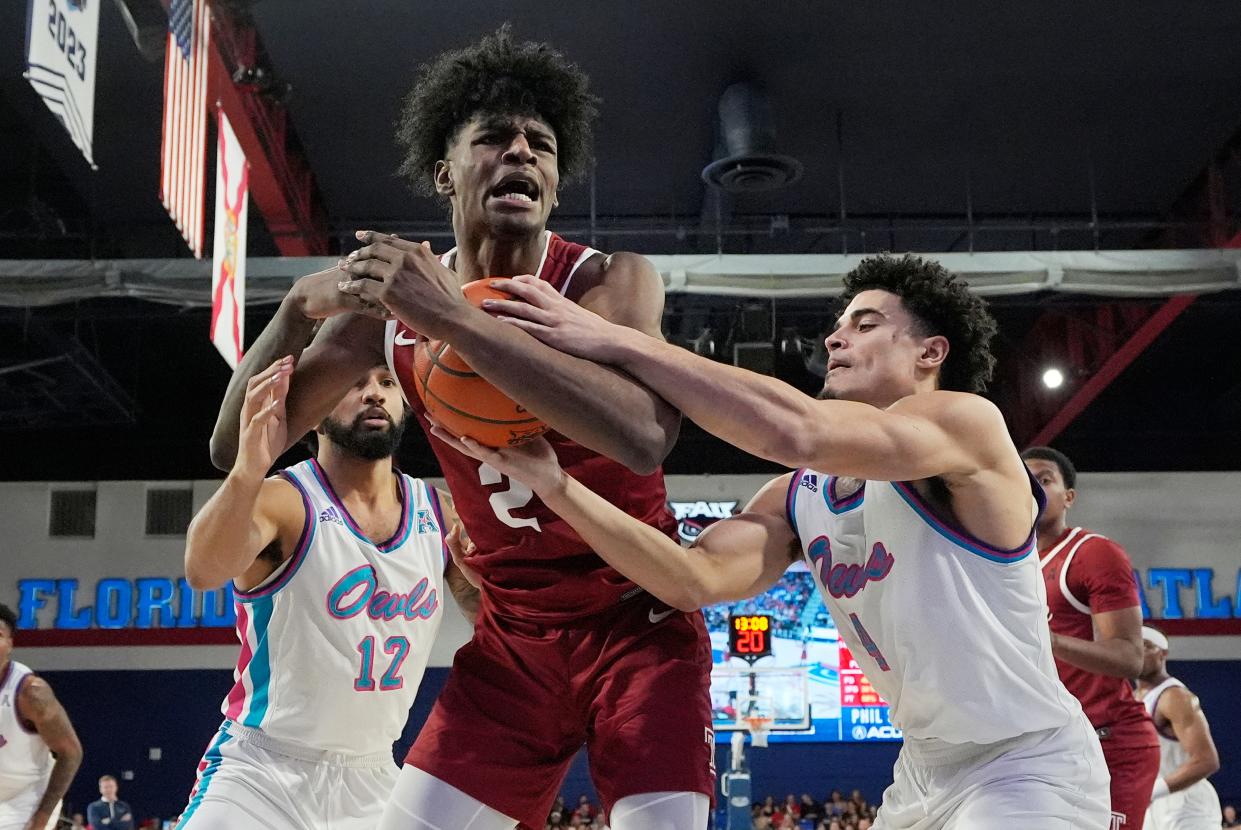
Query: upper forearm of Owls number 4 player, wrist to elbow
758	414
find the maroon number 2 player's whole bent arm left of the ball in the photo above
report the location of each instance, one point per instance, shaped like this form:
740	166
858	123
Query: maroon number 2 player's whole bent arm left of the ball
348	341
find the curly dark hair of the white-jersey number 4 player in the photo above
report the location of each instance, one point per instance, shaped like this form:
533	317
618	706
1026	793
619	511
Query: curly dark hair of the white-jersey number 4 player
944	306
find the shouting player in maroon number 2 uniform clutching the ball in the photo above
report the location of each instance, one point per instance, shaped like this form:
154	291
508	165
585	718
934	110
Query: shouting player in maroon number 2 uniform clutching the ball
567	651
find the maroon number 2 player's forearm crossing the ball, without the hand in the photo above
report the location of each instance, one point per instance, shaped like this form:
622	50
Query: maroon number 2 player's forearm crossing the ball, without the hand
596	406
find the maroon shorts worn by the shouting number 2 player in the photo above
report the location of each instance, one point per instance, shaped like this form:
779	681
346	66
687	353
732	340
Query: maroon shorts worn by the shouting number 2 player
632	684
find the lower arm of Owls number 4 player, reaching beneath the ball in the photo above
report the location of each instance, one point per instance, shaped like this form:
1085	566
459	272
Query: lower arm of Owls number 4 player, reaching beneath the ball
738	558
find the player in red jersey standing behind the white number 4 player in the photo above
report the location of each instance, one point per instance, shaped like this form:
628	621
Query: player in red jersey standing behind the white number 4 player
1096	636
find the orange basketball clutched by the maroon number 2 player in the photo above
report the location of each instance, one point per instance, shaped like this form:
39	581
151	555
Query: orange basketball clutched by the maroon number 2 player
461	400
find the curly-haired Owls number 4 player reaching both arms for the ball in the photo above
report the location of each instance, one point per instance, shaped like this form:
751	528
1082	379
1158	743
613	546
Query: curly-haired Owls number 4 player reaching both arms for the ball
918	519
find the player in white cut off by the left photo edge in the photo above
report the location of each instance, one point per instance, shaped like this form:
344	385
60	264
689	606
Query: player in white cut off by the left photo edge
39	750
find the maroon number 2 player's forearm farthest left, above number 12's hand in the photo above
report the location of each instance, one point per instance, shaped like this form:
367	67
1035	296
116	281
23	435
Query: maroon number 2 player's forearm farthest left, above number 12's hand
289	333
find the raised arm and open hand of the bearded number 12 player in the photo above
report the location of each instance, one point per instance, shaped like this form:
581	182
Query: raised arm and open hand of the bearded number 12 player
249	515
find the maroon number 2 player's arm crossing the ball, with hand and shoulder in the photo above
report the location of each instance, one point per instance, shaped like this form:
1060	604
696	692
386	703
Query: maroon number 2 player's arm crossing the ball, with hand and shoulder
596	406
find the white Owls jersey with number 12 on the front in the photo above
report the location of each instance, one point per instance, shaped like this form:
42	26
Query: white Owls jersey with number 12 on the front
334	645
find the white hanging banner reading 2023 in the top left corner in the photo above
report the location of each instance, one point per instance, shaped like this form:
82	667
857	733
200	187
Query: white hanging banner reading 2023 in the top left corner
60	64
